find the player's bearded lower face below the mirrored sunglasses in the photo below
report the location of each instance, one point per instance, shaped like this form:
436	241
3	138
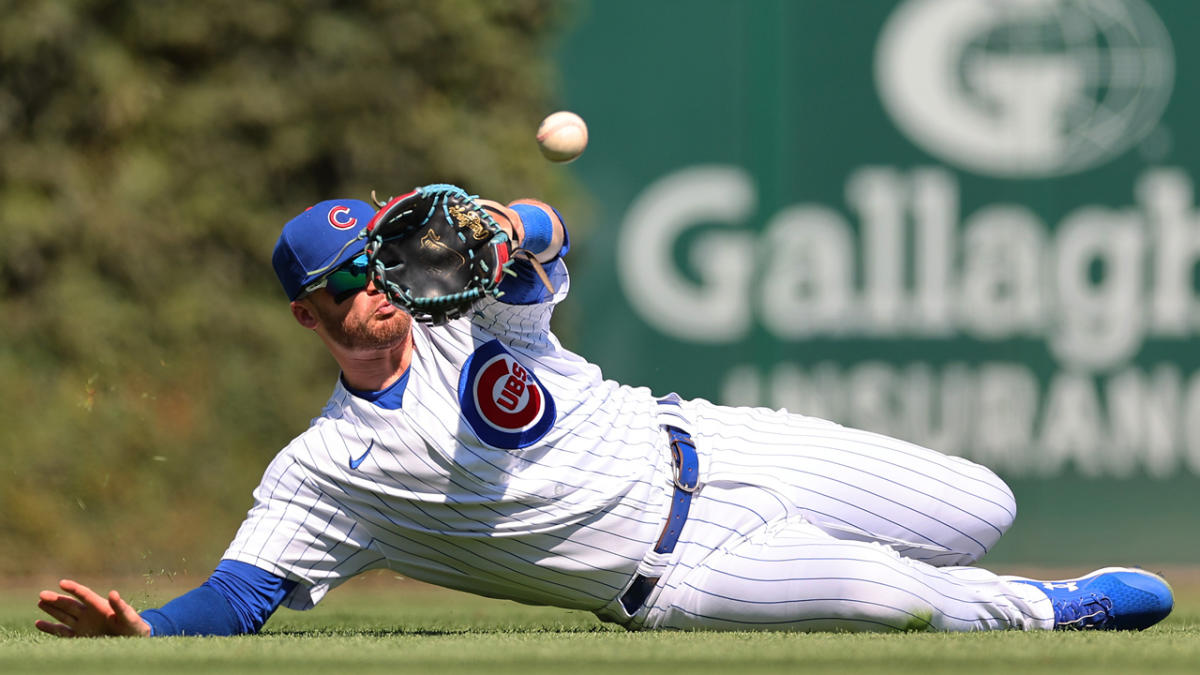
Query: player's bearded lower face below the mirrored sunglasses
362	321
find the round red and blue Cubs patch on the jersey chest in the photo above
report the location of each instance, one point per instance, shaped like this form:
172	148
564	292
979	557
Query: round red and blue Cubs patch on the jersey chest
502	401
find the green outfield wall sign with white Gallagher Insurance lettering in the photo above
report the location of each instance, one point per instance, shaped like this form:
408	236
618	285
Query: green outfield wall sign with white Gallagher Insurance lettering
969	224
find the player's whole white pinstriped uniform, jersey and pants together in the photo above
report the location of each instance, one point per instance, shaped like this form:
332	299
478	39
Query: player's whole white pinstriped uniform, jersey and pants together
800	524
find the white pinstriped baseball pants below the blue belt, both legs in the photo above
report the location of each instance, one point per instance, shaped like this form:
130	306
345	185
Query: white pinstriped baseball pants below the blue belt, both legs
807	525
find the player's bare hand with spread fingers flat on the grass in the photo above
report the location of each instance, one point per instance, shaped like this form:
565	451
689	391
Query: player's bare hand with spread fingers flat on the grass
86	614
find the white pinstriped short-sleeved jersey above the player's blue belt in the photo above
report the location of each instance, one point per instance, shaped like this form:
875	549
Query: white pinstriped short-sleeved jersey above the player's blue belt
562	522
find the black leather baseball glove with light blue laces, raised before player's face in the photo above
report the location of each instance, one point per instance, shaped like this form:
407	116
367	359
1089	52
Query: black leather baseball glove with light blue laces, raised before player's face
435	253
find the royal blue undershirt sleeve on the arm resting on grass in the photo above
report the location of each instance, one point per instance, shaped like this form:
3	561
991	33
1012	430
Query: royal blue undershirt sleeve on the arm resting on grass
237	599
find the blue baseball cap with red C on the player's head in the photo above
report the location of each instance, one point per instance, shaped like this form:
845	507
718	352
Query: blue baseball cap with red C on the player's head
320	240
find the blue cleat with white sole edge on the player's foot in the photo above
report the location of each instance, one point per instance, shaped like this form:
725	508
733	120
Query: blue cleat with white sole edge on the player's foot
1113	599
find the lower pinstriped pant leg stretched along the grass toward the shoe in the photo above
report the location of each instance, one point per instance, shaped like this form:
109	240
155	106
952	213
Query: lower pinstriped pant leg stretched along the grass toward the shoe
794	576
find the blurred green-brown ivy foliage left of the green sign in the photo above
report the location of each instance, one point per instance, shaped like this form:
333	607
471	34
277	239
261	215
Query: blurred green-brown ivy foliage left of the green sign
149	154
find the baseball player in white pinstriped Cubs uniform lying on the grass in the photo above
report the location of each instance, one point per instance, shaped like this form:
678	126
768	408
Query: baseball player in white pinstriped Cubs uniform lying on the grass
479	455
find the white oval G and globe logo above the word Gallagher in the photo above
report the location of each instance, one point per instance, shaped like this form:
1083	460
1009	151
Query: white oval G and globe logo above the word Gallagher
1025	88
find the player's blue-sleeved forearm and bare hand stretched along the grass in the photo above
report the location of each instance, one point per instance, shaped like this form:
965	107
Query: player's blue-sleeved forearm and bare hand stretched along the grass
237	599
